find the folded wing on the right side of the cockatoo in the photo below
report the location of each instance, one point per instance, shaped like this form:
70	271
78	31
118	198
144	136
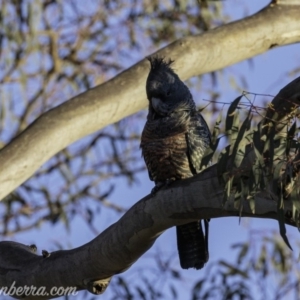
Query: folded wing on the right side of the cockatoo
198	140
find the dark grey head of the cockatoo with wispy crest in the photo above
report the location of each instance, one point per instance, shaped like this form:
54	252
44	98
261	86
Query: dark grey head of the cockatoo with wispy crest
165	91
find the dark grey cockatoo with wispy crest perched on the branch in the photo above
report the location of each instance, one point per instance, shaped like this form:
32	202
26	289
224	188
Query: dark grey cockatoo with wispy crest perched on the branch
173	143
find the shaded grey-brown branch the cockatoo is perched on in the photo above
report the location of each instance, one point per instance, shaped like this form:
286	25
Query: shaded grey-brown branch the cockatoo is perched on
120	245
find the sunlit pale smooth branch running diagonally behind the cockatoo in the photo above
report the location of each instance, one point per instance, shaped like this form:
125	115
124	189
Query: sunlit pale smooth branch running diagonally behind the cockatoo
124	95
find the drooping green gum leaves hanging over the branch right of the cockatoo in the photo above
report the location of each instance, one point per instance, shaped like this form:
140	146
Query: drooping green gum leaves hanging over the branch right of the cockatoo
275	167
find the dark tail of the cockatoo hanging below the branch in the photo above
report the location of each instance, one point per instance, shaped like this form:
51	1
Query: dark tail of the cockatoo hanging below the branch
192	244
